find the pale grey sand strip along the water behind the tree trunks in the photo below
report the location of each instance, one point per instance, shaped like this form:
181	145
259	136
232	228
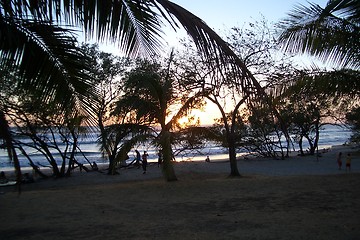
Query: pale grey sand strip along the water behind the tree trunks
248	166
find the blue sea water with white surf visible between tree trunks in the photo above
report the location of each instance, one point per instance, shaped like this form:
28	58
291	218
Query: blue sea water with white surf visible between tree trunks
330	135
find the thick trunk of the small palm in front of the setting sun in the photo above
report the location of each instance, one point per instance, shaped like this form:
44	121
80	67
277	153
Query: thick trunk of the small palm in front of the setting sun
167	167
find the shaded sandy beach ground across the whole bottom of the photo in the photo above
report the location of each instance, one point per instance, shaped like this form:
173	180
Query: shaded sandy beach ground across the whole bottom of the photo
297	198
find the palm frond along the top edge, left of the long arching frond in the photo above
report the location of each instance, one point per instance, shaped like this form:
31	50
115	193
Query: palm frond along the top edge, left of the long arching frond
132	24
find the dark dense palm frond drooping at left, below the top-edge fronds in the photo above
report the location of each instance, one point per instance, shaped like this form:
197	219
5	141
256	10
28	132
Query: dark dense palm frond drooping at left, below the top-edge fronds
48	61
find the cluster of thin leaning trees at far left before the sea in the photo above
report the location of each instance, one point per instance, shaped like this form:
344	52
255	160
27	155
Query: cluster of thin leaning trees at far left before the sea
46	132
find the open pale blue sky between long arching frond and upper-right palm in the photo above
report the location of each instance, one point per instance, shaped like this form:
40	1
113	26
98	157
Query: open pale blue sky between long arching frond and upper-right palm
225	14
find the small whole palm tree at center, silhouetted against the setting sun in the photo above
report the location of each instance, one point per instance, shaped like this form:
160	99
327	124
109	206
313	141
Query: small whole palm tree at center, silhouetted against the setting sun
151	94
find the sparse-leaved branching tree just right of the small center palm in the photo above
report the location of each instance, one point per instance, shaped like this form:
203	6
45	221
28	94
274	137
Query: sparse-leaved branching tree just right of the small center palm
258	50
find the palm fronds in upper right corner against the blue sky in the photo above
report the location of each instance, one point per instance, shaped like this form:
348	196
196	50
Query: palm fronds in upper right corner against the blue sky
331	33
